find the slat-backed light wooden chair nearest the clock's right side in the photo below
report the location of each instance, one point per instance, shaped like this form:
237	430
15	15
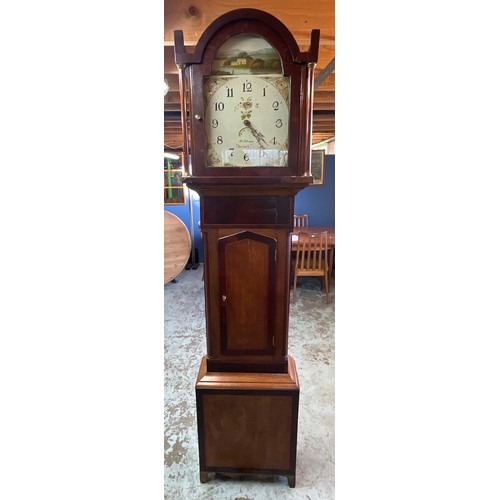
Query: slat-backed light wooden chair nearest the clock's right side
312	260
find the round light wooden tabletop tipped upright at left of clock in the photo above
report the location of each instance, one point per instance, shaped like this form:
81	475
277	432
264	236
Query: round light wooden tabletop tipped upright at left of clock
177	246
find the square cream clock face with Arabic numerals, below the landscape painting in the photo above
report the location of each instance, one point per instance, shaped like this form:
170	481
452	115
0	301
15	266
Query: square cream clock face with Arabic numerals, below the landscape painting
247	120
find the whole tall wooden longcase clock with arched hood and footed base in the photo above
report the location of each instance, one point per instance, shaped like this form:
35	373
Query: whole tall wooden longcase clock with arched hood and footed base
246	95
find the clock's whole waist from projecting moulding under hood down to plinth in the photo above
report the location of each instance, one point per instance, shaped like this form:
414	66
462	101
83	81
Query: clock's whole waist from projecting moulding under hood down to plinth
262	211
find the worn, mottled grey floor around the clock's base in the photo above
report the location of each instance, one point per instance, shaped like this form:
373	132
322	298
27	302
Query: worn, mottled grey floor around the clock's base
312	345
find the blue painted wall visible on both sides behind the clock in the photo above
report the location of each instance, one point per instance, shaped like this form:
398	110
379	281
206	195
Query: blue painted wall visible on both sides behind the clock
317	201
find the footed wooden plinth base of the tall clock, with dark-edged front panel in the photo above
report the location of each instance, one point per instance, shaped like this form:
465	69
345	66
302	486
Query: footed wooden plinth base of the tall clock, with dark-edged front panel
247	422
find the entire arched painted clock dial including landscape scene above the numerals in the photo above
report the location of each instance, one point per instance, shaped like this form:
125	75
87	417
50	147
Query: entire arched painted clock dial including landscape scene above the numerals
247	106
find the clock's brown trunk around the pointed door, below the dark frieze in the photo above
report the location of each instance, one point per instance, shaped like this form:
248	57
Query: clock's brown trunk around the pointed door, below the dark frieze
256	273
